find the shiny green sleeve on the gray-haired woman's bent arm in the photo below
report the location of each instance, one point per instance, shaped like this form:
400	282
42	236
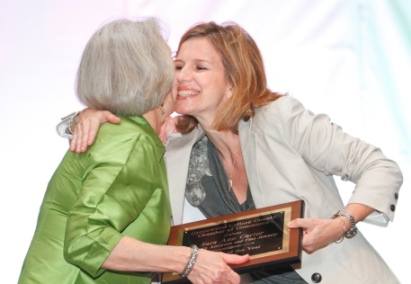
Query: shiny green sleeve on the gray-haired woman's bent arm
116	186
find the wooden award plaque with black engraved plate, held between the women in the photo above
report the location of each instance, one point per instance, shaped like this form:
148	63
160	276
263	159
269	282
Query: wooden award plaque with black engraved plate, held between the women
262	233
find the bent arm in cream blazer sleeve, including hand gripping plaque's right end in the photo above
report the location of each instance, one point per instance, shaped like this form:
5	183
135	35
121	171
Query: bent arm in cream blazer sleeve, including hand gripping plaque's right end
324	146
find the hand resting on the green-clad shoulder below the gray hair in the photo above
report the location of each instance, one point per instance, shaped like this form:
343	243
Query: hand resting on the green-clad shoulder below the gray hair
87	126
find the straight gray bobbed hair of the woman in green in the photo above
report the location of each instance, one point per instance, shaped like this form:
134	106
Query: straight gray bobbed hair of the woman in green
126	68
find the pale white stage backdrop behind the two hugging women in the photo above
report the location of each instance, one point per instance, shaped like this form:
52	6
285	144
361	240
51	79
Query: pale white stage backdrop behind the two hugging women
347	58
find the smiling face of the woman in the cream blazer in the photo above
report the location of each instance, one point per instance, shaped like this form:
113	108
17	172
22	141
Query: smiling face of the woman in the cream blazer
200	83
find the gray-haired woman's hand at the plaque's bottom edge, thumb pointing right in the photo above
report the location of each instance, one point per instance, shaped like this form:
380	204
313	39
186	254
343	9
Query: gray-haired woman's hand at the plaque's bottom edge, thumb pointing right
213	267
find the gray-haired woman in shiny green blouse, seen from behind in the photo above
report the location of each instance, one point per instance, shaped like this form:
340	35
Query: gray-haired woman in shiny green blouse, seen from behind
106	213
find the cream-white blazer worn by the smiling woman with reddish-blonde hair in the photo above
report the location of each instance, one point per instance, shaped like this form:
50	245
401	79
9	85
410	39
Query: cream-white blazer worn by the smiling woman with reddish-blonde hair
292	154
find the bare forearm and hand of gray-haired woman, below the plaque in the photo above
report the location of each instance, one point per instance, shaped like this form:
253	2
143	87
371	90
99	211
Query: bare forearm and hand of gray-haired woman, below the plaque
210	267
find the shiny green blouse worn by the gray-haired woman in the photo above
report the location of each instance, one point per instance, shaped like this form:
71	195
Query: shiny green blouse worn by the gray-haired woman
117	188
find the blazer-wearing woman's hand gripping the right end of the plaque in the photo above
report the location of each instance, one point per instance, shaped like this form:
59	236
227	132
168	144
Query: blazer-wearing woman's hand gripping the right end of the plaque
318	233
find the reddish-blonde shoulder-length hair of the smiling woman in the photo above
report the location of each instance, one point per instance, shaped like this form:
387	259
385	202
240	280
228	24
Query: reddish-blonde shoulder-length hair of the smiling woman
244	70
